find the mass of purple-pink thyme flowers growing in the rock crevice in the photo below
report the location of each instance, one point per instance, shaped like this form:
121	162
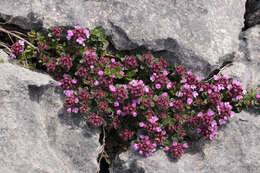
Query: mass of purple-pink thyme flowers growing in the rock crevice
130	95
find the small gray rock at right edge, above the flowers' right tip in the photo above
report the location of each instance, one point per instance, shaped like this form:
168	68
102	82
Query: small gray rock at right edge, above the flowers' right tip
246	68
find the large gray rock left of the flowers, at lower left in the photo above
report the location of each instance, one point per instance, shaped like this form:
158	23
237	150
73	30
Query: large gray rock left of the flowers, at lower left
36	136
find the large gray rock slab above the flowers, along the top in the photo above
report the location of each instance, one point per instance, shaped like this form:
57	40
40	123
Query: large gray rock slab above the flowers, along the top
196	33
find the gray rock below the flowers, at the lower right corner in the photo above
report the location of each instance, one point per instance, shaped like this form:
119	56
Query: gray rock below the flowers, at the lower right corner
235	149
